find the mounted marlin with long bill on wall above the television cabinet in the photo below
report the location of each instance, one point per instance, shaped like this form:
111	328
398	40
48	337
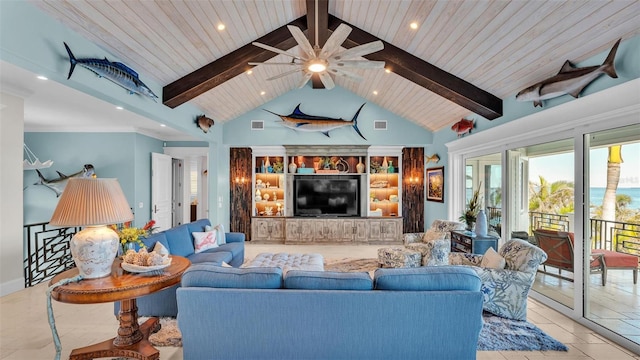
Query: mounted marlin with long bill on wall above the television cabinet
300	121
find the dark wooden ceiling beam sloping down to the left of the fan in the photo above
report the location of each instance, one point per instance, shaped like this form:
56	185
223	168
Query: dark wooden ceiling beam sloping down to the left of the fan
228	66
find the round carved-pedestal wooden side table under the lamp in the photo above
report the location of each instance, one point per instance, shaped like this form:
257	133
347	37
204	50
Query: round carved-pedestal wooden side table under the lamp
132	339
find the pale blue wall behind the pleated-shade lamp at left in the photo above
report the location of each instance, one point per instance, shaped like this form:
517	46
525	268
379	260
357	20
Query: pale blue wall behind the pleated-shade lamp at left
125	156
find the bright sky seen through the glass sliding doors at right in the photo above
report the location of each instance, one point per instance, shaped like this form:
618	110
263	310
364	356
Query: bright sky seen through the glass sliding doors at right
560	167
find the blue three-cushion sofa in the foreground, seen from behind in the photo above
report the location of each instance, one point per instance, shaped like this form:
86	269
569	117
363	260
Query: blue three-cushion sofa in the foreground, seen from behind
418	313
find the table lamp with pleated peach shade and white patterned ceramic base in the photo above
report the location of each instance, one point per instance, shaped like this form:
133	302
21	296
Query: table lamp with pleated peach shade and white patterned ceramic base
93	204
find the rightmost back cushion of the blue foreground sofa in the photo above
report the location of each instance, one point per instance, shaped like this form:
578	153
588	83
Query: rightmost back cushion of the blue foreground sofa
439	278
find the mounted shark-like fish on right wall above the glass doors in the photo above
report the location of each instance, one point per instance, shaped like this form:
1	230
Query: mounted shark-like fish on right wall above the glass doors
569	80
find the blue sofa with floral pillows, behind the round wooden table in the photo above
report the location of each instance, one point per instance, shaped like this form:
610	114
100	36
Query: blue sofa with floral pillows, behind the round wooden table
179	241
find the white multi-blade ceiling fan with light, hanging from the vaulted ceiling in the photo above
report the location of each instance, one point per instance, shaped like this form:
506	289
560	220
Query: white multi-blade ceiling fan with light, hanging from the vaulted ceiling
326	61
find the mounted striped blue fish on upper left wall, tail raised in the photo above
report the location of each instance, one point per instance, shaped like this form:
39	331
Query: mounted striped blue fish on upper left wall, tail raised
117	72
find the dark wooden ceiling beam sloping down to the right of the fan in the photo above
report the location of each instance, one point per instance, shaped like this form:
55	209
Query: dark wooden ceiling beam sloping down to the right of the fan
425	74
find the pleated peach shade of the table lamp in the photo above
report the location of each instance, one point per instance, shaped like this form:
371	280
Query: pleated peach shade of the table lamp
88	201
